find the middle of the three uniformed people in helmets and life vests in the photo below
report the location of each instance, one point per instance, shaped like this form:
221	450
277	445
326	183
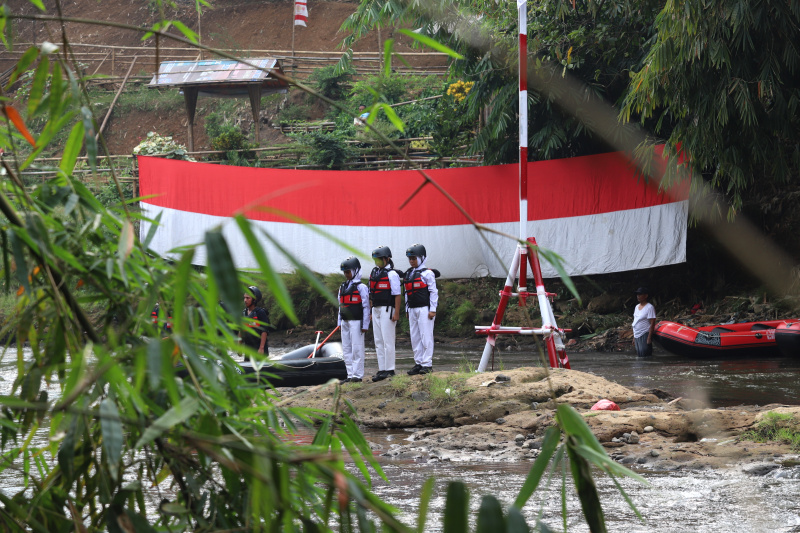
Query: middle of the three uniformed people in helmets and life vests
384	299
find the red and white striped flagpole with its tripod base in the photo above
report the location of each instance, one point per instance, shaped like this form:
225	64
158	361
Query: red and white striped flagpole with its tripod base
553	336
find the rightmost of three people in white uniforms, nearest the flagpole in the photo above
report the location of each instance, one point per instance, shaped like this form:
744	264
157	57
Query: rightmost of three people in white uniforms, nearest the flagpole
422	297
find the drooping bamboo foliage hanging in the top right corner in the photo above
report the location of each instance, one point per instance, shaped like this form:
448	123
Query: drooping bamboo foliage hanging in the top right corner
721	84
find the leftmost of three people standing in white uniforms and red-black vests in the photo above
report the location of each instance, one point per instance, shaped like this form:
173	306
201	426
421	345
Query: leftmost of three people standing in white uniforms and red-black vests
353	319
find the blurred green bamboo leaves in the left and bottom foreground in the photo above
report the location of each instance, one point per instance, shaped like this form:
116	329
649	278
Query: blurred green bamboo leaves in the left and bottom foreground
141	415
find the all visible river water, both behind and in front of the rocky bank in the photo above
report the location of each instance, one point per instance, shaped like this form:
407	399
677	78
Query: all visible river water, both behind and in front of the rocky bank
674	502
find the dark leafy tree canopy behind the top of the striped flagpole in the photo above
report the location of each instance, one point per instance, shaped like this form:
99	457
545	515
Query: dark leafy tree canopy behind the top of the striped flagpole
595	42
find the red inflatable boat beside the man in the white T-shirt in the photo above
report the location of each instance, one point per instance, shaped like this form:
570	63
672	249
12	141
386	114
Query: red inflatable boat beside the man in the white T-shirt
748	339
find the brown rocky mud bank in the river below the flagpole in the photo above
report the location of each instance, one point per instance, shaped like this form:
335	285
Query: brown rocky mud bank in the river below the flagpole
502	416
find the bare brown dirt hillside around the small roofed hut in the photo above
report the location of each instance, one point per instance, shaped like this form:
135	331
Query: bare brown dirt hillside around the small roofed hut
238	25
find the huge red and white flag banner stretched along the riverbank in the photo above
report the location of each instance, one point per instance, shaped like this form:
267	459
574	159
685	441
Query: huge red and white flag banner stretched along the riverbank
593	211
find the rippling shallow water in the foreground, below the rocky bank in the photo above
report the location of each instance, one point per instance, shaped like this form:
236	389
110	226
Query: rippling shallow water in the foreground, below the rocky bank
702	501
